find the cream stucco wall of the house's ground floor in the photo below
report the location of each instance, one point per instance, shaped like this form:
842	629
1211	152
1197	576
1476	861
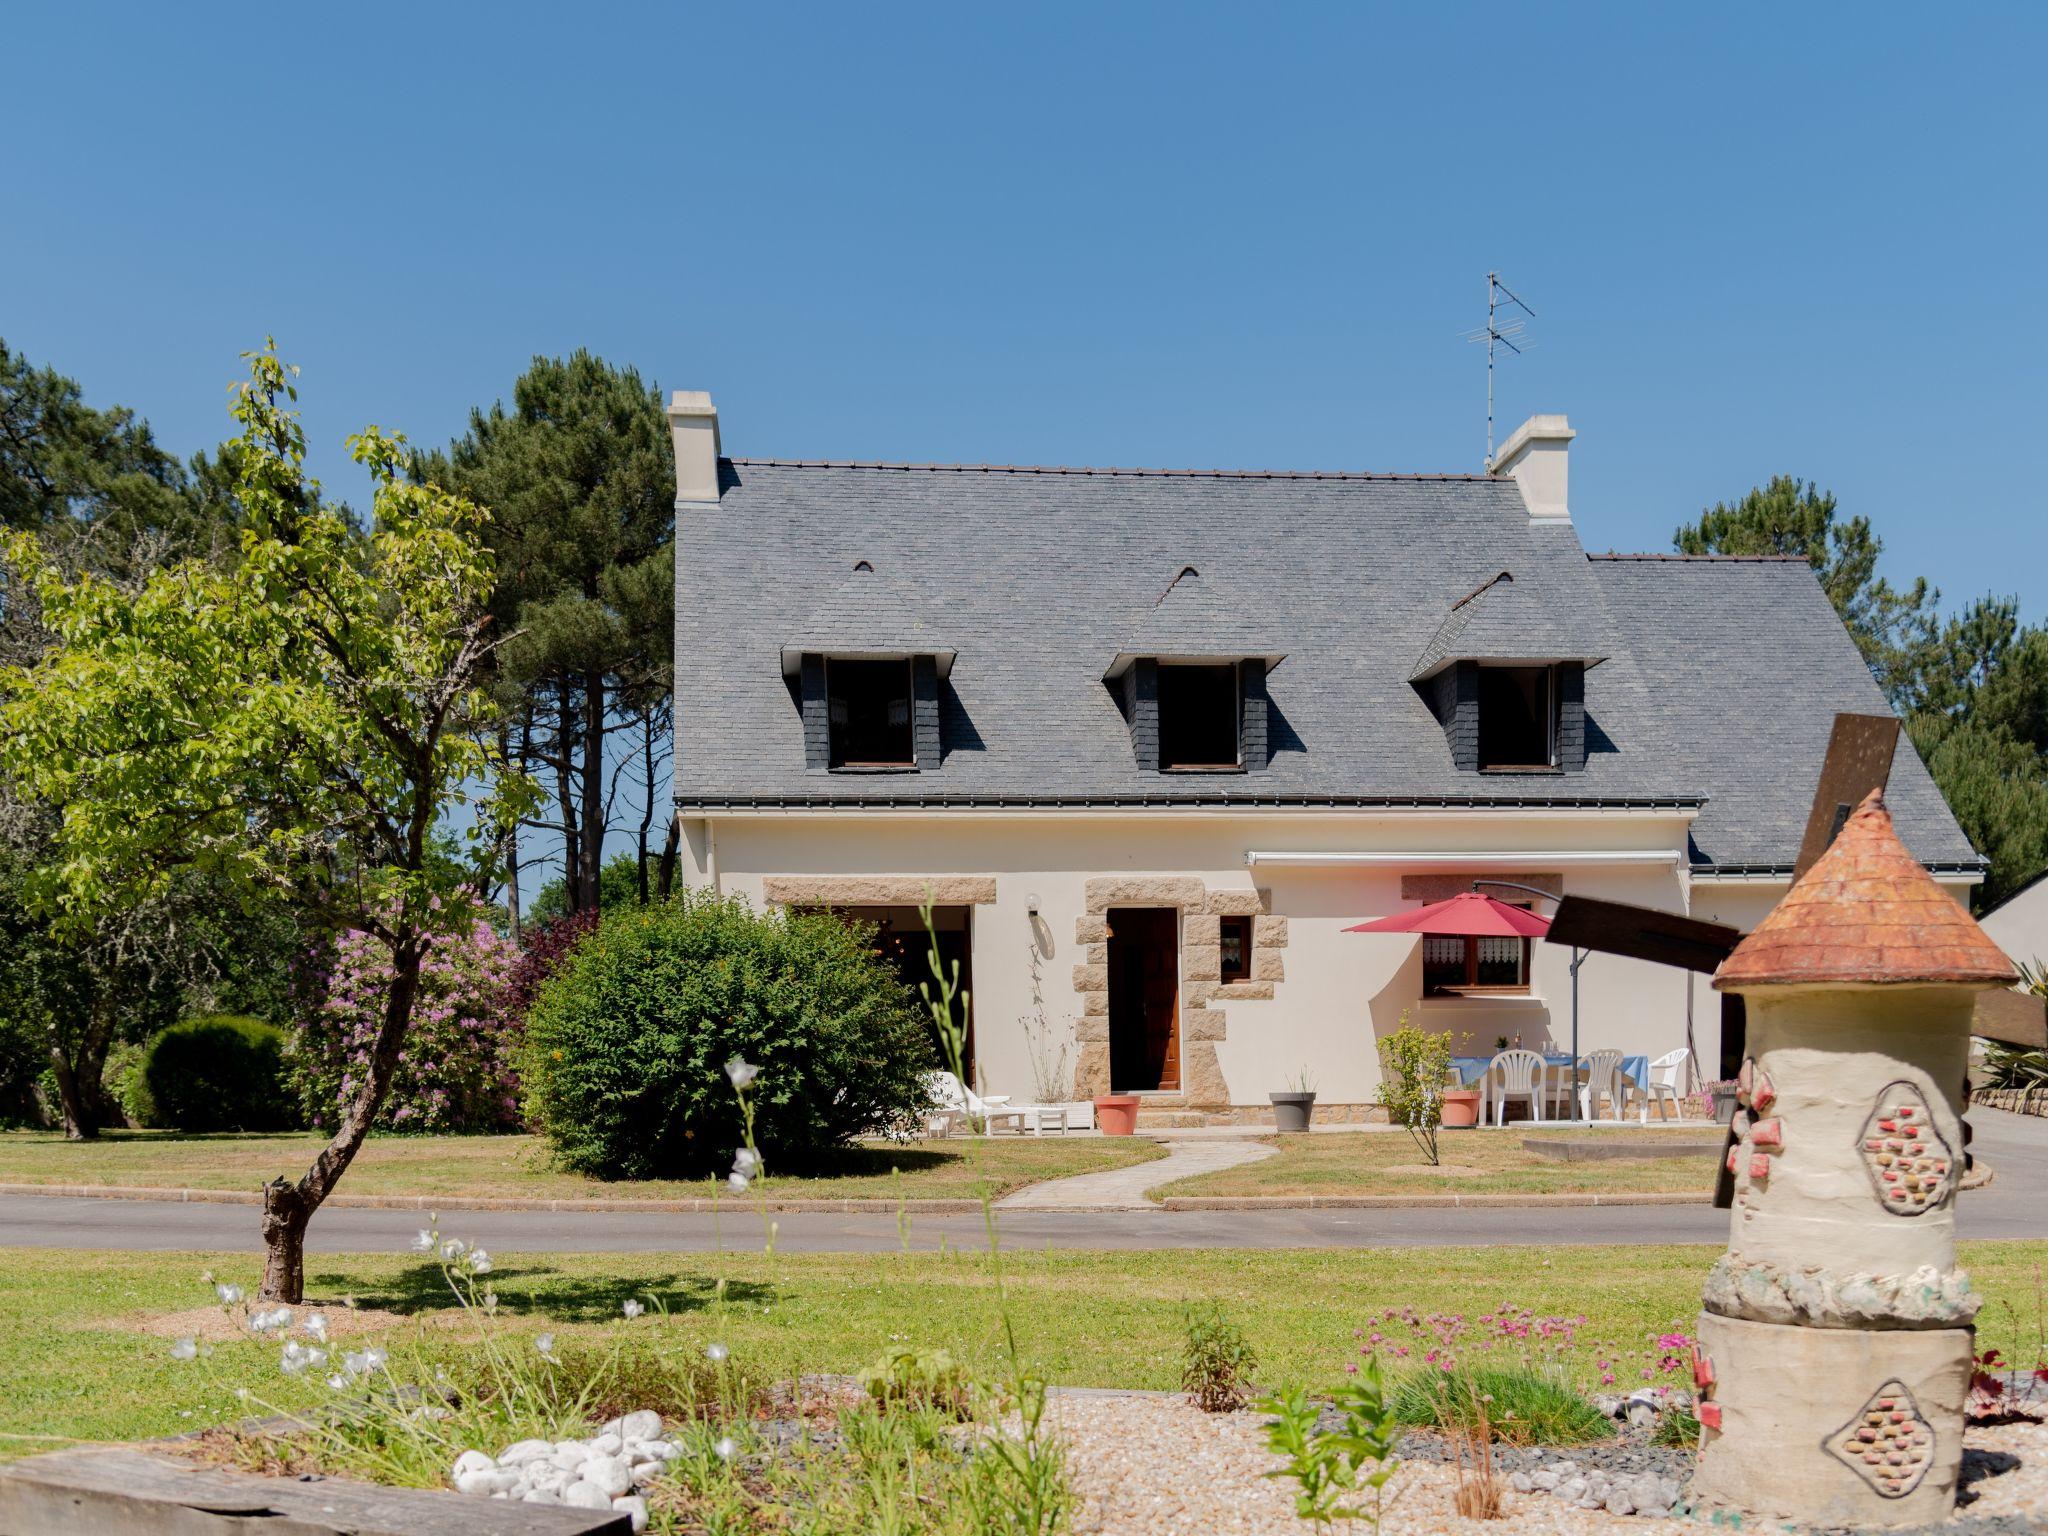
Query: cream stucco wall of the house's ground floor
1340	990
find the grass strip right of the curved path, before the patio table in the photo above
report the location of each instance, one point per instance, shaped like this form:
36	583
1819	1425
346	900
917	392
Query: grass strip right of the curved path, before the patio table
1476	1162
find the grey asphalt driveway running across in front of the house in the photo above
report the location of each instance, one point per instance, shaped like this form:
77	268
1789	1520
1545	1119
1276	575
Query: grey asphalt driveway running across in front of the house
2014	1205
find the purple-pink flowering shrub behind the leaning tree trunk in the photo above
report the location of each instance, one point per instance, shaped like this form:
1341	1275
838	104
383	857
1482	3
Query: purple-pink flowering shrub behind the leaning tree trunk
456	1066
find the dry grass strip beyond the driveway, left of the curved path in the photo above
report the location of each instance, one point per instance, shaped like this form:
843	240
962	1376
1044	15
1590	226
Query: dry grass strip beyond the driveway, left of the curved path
519	1168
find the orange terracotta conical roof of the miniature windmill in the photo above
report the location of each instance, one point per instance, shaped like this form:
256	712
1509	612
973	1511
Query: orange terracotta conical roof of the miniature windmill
1867	912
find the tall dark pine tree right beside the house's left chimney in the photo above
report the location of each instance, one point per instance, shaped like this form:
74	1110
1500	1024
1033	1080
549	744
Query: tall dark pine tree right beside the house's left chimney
581	478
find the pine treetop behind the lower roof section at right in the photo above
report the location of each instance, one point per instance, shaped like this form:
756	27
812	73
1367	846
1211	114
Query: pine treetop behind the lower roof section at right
1889	626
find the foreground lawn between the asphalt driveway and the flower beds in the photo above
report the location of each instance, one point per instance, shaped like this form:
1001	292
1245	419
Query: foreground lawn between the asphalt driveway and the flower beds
77	1357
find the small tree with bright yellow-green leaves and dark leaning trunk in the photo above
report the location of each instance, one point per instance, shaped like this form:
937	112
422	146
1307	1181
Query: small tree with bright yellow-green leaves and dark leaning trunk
296	722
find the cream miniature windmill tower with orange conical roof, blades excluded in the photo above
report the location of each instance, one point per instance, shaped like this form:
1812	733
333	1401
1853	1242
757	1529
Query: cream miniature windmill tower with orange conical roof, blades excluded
1836	1345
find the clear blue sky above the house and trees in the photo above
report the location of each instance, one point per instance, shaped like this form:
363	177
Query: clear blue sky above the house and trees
1758	239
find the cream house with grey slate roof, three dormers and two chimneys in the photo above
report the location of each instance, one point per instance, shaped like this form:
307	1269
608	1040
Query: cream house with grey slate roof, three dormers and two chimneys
1154	738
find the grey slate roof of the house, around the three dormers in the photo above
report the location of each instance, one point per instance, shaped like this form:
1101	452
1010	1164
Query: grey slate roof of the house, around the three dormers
1719	685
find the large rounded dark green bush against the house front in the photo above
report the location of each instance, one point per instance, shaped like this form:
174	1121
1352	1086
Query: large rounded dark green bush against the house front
626	1050
